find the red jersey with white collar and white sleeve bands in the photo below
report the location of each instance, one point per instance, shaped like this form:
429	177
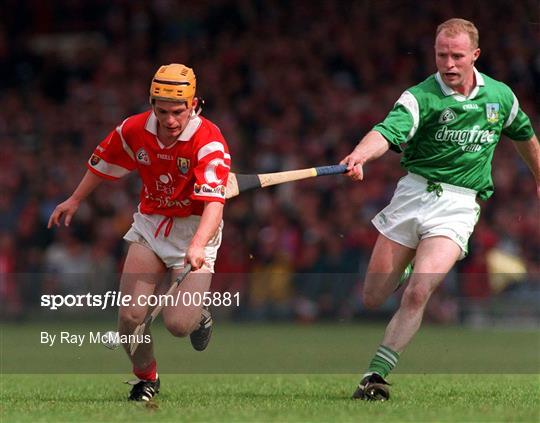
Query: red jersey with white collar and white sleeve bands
177	179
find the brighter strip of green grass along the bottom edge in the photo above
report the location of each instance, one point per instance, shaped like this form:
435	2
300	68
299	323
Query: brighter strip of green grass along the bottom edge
291	398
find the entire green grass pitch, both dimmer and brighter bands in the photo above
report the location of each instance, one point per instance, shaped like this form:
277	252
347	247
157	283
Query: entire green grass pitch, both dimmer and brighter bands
274	373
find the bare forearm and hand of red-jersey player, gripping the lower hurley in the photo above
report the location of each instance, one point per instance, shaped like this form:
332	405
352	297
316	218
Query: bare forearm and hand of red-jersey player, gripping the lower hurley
208	226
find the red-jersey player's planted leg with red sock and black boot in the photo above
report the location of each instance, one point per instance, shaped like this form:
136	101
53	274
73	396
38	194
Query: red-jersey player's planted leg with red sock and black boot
140	276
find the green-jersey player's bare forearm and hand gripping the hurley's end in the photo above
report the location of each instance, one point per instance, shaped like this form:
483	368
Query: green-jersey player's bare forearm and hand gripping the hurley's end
371	147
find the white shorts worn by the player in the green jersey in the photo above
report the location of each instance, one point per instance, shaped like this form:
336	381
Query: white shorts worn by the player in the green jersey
415	214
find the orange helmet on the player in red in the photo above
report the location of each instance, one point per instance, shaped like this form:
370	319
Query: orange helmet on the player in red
174	82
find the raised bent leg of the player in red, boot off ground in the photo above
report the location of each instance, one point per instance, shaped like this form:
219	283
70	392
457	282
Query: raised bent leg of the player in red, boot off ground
188	315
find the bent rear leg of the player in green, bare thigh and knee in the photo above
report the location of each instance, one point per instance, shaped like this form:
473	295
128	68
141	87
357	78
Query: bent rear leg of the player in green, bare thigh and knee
388	261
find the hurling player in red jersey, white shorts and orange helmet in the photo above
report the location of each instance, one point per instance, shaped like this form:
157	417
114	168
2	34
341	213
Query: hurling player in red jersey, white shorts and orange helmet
183	162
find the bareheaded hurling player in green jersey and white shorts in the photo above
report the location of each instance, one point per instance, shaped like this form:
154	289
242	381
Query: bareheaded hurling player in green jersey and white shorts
448	127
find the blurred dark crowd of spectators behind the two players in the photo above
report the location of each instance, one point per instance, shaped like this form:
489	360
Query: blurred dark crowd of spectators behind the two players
291	85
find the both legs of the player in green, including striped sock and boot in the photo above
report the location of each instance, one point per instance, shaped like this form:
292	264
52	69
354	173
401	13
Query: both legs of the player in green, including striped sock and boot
434	258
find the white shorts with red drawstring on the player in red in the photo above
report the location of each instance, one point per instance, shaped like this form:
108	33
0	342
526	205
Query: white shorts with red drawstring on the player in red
171	248
